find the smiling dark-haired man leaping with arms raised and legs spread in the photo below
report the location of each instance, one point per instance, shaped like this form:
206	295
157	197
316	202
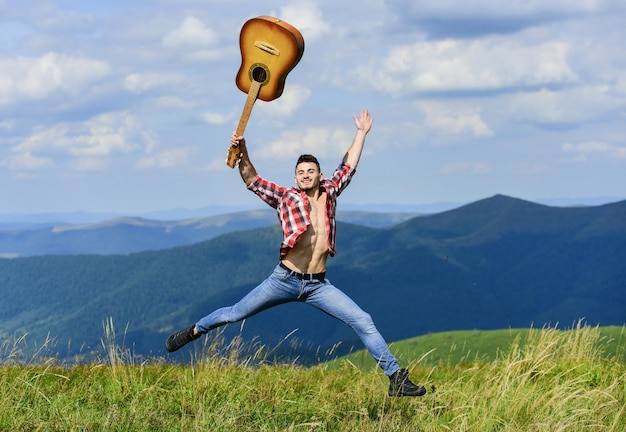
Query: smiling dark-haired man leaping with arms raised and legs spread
307	216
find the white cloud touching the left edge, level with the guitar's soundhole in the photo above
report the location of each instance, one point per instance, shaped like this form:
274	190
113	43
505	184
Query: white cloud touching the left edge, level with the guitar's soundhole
38	78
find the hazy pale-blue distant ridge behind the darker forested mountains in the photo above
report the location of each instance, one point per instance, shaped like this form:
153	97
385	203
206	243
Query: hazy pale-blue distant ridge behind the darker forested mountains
124	235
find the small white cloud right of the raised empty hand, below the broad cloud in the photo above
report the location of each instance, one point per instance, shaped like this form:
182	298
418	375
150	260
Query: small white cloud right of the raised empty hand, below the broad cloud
454	119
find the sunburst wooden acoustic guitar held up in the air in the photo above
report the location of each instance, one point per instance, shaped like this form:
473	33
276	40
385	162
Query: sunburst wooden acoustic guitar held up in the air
270	49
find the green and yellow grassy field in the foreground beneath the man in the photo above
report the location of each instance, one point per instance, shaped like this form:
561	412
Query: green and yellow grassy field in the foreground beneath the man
530	380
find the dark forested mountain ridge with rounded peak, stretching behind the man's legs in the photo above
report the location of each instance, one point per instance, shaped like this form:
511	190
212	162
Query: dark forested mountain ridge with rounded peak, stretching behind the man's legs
496	263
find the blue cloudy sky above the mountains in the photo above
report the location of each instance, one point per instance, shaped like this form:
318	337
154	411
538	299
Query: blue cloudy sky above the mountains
128	106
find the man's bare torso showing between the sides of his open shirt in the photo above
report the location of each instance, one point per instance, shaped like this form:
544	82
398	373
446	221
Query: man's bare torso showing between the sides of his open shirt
310	252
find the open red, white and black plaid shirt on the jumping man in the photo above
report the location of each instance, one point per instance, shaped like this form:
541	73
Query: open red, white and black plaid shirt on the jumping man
292	205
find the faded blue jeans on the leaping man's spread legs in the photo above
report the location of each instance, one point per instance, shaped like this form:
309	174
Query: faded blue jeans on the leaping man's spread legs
282	287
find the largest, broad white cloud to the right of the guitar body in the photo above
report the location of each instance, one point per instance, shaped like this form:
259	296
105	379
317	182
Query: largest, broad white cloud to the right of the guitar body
485	64
